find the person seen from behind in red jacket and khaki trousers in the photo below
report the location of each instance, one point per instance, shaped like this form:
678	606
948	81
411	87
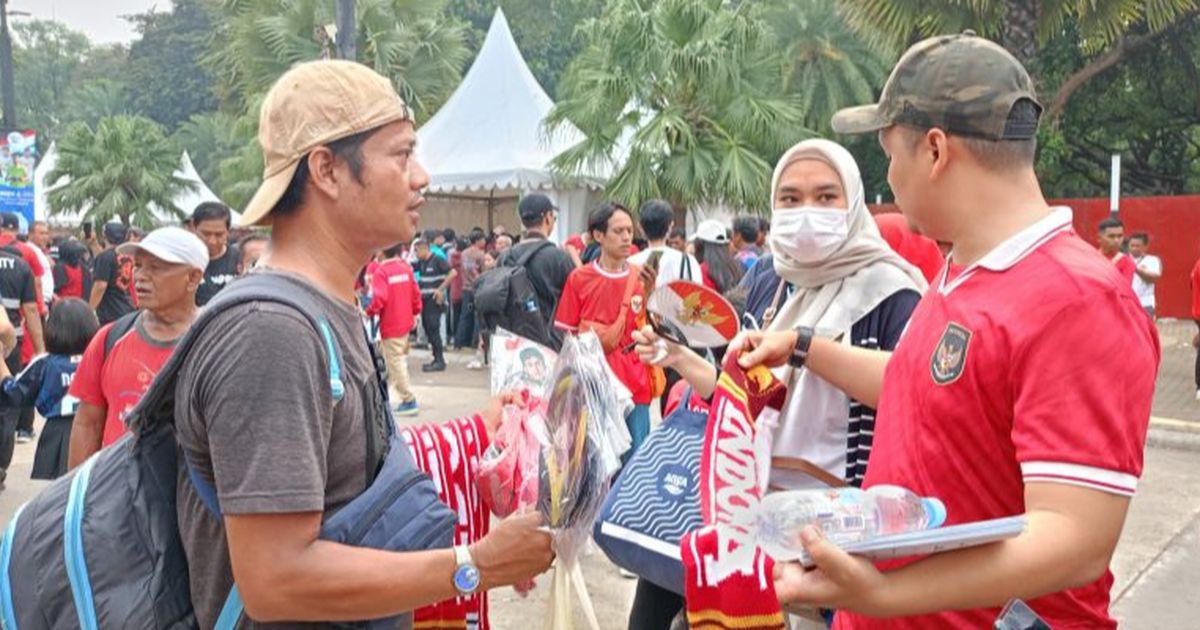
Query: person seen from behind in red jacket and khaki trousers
397	302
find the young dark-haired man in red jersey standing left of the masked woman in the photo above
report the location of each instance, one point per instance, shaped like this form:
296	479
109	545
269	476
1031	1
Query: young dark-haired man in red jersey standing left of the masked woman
607	297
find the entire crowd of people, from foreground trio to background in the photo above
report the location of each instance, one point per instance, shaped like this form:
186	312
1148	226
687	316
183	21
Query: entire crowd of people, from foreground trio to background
959	359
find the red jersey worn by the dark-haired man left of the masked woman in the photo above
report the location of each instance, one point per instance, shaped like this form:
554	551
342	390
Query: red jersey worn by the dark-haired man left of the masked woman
593	295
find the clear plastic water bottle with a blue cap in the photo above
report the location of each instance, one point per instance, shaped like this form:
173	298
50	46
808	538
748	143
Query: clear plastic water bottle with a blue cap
845	515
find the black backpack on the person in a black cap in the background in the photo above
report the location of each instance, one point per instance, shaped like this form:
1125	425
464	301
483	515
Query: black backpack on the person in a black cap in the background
506	298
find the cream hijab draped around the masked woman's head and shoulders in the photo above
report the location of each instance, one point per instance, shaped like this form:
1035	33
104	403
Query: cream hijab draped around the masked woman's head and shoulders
835	293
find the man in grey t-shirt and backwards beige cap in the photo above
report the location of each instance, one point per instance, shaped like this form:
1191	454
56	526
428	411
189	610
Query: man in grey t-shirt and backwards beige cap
255	412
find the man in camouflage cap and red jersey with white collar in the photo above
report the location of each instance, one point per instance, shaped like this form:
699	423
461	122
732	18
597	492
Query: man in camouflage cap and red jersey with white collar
1000	399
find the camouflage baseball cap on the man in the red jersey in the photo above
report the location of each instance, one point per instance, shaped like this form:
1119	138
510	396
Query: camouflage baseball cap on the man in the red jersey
963	85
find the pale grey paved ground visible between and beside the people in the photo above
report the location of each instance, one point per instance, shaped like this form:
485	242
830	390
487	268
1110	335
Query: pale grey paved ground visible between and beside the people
1156	566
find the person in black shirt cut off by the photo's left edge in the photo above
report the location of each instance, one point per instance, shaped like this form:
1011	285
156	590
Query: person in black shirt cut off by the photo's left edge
20	299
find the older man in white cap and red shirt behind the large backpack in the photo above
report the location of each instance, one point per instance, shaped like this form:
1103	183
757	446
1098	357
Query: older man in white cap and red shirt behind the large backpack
169	267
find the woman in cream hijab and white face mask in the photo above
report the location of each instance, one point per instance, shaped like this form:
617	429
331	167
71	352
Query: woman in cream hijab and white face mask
831	272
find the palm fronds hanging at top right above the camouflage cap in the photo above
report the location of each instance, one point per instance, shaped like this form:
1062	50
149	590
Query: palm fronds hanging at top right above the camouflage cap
1109	29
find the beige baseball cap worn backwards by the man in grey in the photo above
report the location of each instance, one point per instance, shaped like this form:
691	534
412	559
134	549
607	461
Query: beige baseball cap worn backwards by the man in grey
311	105
